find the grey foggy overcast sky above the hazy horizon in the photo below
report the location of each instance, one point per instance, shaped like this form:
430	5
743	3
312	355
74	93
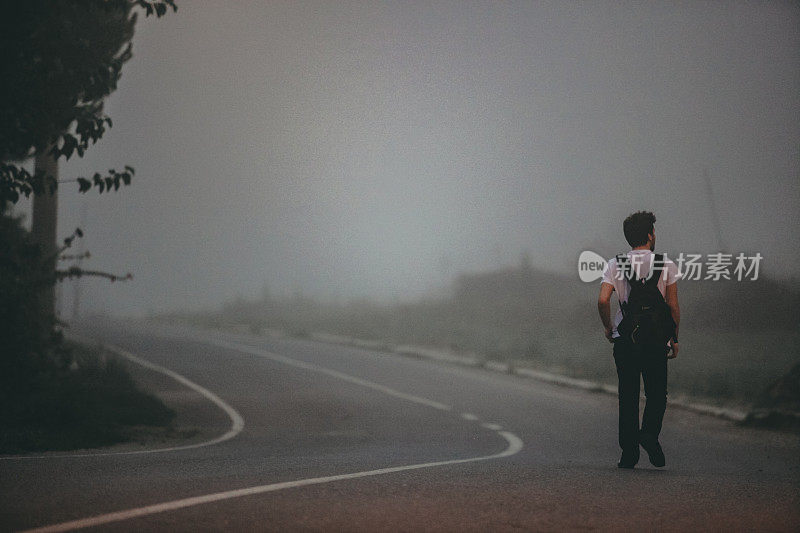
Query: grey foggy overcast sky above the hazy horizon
378	149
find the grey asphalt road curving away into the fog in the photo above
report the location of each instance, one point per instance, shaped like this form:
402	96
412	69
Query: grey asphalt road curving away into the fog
473	450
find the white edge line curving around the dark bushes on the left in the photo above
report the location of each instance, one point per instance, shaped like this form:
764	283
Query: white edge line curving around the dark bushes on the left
237	422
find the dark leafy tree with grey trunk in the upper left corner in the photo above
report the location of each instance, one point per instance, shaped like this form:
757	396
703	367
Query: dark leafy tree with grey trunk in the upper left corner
61	58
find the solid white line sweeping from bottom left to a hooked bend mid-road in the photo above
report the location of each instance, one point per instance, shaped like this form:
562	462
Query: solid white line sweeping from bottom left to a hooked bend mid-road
514	446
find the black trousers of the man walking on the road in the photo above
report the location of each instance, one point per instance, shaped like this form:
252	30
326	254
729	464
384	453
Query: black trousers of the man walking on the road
651	362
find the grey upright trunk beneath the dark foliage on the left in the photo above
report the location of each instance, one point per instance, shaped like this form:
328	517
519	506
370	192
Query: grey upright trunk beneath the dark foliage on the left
43	230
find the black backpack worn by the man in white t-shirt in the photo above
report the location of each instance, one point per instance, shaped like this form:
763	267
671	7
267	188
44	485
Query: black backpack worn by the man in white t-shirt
646	317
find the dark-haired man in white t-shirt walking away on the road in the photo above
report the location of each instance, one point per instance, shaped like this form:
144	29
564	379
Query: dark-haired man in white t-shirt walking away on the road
632	355
